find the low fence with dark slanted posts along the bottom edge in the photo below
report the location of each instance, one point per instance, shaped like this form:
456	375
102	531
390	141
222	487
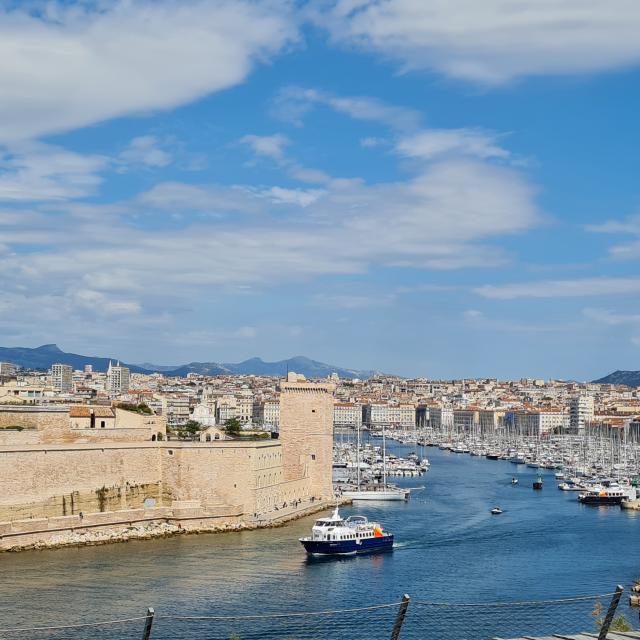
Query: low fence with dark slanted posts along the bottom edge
409	619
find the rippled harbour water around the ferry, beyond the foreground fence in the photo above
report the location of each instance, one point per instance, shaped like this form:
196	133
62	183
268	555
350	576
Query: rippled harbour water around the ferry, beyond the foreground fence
448	548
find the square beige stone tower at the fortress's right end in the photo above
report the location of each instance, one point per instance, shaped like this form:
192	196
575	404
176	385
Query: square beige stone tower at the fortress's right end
306	433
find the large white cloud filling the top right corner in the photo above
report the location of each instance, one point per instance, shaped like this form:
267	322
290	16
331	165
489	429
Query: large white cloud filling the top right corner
492	41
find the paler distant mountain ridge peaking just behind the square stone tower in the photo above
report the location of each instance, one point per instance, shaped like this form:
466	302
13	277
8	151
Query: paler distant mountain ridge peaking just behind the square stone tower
257	366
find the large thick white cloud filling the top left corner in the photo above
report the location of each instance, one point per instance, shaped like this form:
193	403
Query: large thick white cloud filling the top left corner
72	66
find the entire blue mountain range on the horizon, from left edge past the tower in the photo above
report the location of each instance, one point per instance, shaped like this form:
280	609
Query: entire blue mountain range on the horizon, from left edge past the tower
46	355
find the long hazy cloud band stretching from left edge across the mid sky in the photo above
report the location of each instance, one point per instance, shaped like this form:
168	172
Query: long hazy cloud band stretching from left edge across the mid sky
443	218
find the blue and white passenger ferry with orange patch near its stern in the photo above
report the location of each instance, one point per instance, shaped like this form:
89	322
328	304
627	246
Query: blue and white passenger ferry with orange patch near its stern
335	536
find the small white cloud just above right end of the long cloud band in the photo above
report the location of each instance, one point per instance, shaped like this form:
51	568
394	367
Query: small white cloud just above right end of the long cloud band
433	143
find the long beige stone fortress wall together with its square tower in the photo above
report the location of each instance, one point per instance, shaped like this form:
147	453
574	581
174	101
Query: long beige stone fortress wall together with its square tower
58	475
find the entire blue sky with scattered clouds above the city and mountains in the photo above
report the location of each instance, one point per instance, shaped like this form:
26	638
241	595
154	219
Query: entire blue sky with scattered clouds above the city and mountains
438	188
